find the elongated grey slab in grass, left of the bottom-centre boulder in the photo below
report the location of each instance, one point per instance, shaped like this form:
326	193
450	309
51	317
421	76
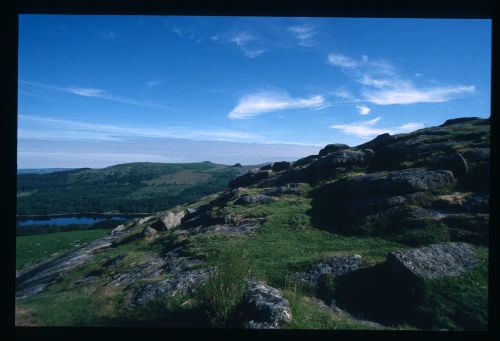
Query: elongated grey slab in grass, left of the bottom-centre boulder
181	284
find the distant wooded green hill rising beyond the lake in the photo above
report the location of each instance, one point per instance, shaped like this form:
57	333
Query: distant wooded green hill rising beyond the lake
132	187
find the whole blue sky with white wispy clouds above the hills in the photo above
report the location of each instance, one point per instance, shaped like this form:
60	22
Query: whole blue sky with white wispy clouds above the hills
101	90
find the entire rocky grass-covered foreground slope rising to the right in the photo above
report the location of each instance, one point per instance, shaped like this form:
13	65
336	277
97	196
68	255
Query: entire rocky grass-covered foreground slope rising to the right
399	213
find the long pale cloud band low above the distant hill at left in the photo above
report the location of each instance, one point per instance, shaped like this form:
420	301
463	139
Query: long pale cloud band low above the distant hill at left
51	128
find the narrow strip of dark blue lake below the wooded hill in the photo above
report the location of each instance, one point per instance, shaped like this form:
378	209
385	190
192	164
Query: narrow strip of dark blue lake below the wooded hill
72	219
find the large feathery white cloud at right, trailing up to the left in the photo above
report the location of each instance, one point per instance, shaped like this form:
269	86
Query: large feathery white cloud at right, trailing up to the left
384	86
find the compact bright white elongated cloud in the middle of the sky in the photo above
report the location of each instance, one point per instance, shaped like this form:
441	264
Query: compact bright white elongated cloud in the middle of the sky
262	102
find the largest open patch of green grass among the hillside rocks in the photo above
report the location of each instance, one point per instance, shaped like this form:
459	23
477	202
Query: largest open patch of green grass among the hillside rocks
286	242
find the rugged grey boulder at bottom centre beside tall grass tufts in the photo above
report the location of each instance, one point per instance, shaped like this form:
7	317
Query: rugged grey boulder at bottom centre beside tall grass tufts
265	307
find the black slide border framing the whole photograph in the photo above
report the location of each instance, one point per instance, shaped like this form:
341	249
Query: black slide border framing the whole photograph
464	9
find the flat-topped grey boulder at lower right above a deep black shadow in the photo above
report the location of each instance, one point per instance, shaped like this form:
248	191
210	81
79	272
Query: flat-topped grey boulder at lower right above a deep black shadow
433	261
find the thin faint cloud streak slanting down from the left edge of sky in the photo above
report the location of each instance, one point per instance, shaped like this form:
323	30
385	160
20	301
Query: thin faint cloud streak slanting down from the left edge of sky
96	93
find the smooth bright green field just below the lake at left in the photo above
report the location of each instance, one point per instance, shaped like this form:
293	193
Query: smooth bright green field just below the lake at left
32	249
